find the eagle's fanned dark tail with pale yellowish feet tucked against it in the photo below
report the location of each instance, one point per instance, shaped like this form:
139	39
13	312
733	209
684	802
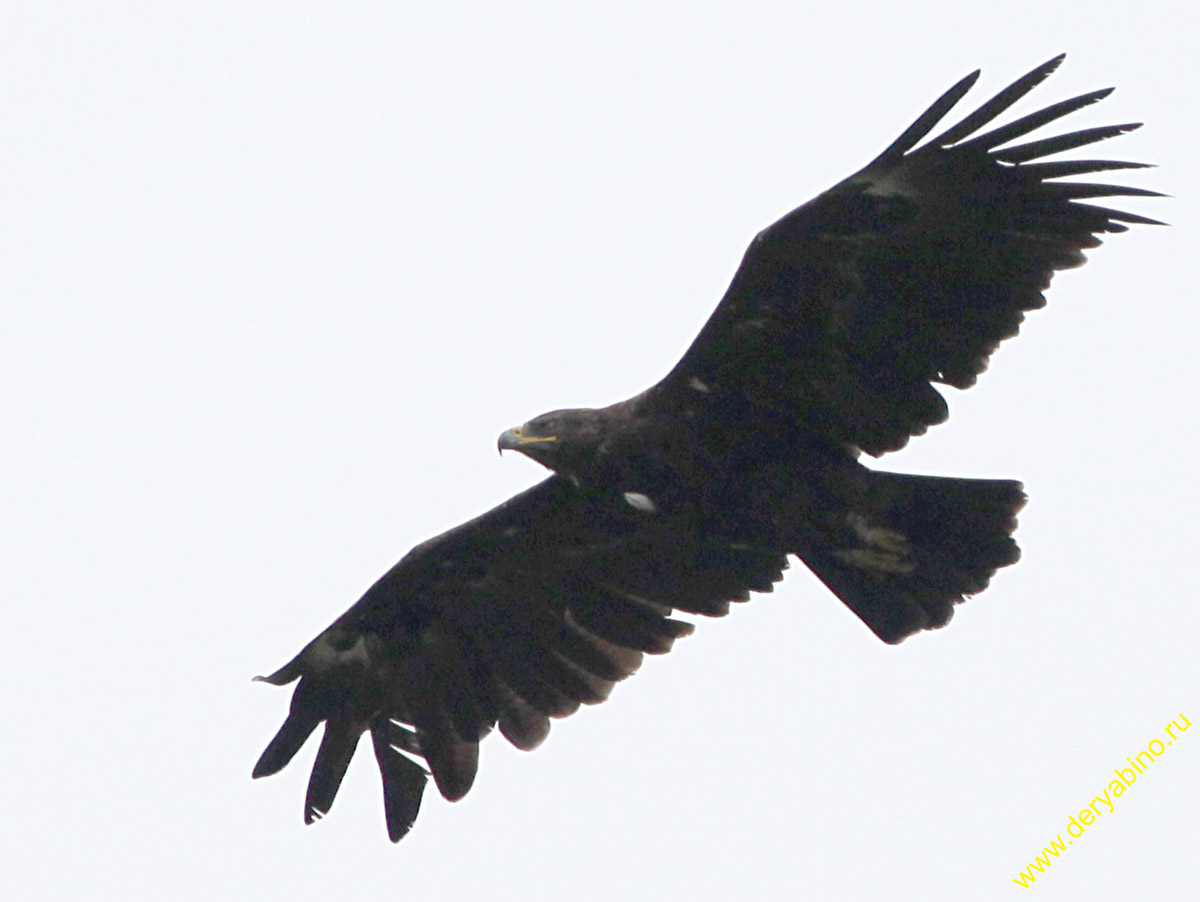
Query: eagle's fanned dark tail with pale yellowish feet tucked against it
916	546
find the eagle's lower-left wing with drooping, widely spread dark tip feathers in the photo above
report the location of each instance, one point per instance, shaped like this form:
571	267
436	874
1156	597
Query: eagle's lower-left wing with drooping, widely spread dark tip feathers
514	618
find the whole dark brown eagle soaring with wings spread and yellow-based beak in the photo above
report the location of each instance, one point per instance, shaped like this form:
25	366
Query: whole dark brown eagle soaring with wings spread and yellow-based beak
829	344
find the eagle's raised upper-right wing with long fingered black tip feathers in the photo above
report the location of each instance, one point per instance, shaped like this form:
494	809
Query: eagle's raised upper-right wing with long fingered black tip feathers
909	273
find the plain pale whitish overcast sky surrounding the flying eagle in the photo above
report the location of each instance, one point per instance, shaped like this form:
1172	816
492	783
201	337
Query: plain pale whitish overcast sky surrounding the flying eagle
275	276
